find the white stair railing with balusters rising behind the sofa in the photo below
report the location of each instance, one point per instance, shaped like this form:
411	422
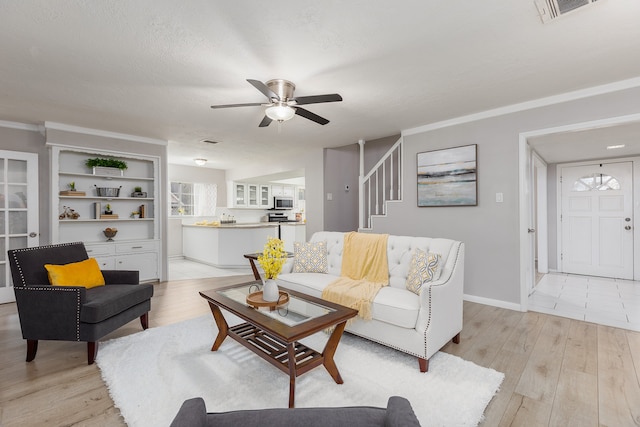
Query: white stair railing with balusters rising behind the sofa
381	185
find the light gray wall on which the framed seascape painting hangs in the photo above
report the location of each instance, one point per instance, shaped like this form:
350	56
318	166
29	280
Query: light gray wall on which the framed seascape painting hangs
490	230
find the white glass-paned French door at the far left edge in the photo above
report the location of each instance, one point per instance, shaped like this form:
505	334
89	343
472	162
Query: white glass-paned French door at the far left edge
18	210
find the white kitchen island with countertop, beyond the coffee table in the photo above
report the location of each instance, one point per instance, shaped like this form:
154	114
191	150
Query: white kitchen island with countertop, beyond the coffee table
224	245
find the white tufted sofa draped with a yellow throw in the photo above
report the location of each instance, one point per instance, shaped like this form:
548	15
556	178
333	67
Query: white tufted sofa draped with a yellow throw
419	325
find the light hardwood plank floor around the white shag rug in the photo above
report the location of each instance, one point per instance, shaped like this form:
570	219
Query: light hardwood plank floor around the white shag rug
559	372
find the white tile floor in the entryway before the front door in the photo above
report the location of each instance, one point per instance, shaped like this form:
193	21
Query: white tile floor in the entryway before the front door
611	302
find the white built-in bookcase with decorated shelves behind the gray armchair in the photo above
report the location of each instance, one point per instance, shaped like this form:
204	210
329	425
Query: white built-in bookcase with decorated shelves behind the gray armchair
136	243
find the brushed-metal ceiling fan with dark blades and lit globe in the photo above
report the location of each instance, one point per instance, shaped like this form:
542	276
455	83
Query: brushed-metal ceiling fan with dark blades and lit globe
282	105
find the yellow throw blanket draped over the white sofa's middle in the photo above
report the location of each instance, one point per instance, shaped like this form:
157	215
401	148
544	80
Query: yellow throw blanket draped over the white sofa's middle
364	272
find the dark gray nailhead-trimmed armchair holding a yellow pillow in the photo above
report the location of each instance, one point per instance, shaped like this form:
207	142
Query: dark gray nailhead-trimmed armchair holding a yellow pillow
73	313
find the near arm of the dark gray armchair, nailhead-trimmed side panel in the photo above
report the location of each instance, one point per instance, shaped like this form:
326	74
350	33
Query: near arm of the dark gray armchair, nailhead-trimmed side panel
49	312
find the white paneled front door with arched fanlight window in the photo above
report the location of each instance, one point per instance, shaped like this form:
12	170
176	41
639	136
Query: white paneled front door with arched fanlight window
597	220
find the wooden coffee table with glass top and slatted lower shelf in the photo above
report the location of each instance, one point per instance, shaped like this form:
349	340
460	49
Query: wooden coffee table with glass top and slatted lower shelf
274	335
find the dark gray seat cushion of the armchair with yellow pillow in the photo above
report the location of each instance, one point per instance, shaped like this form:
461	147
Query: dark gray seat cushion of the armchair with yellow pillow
106	301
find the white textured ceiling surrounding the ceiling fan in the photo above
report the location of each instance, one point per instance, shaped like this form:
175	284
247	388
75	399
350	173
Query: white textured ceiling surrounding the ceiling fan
153	67
